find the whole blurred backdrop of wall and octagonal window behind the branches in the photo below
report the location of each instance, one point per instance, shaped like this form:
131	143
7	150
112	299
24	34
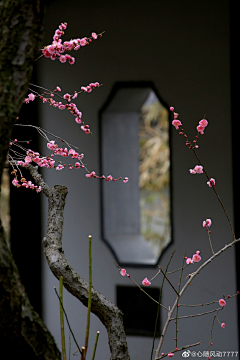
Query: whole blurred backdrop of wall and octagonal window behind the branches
169	53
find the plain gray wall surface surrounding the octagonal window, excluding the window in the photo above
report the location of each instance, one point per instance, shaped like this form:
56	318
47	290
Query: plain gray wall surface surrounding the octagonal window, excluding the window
183	47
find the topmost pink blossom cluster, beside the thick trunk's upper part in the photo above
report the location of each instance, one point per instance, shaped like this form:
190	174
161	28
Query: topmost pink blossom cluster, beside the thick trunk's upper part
57	49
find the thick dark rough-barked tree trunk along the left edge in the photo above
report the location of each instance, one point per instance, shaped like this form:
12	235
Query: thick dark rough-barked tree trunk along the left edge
22	333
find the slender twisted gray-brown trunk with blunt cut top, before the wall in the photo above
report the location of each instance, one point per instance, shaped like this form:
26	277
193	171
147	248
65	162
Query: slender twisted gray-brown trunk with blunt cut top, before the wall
107	312
